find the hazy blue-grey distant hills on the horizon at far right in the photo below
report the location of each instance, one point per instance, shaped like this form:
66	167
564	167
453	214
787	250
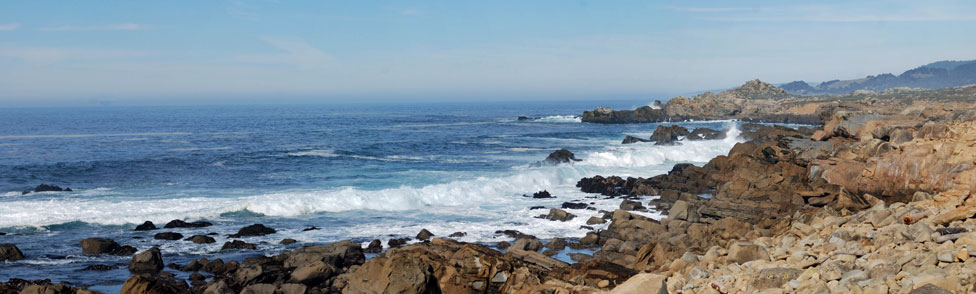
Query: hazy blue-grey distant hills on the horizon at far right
936	75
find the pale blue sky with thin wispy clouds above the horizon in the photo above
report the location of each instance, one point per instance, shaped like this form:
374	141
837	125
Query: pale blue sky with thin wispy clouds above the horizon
132	52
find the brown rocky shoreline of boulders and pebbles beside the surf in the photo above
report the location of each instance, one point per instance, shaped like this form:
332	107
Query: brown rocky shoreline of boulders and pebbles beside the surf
878	198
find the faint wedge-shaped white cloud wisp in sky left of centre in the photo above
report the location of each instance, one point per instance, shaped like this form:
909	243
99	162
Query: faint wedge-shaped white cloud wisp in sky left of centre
297	52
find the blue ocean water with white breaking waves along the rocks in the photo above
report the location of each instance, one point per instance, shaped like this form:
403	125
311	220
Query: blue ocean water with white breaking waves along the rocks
356	171
